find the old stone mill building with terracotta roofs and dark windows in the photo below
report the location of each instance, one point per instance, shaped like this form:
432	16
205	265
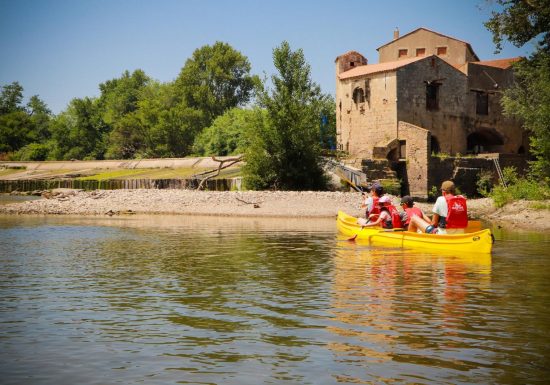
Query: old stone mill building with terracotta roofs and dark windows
428	94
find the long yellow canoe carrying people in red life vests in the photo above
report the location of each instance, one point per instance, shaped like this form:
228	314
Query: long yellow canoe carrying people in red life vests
476	242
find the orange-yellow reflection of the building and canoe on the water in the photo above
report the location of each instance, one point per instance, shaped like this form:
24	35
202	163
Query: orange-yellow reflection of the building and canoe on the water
394	306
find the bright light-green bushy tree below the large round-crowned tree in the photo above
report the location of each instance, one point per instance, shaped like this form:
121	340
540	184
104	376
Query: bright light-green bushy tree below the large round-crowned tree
229	134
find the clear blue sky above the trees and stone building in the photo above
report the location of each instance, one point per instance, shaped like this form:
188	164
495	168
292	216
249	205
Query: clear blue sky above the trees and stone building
62	49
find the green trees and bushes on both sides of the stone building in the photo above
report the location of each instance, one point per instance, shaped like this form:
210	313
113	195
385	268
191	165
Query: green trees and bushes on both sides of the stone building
215	106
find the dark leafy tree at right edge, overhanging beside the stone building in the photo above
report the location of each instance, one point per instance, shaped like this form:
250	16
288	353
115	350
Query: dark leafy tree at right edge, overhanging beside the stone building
520	22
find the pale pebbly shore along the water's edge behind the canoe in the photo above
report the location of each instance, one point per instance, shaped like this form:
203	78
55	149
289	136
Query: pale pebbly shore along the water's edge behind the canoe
280	204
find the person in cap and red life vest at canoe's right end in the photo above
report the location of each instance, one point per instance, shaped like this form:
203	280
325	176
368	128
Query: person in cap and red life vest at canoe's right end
450	214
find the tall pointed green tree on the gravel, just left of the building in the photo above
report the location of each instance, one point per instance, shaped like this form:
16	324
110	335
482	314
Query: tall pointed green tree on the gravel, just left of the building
285	152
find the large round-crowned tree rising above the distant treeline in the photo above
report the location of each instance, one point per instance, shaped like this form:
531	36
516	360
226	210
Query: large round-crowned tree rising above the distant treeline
216	78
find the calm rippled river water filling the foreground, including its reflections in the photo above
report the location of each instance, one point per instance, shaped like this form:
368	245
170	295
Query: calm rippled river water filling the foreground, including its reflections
194	300
